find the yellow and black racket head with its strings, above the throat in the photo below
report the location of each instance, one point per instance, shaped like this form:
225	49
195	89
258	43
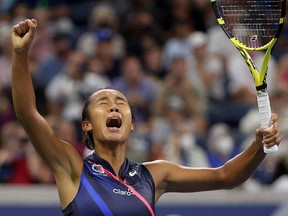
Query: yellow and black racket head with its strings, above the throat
251	25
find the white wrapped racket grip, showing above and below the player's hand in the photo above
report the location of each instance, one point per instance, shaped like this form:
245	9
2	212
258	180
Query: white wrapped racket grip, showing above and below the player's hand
265	115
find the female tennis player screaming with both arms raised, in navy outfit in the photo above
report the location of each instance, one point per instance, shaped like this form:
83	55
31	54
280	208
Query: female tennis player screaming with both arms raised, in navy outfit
107	183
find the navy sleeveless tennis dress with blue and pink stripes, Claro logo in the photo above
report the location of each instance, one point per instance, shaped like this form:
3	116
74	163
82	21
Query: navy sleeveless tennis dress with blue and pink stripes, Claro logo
102	194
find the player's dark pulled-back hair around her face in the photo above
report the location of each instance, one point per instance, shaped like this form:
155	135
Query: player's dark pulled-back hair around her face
87	137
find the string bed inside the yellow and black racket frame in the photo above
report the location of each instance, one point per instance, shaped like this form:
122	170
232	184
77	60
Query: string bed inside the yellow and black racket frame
254	23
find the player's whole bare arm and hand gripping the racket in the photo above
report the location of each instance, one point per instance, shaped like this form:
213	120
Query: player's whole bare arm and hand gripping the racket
170	177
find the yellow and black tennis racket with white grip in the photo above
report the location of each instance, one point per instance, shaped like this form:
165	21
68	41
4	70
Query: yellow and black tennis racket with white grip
254	25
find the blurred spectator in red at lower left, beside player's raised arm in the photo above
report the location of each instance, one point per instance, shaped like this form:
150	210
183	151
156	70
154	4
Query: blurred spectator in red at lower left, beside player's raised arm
20	164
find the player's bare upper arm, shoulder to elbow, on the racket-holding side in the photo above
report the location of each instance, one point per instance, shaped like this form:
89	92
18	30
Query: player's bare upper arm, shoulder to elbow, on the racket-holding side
171	177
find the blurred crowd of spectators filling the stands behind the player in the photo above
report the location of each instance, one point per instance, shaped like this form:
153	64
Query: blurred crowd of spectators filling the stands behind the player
192	93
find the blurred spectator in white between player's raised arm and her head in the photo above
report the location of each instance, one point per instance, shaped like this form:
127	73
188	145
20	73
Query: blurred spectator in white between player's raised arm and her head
65	91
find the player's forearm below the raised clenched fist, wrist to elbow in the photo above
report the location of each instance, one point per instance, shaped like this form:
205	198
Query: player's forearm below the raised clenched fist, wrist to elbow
22	87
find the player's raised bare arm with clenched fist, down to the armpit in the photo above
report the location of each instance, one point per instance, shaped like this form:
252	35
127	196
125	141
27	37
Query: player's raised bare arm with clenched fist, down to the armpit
63	160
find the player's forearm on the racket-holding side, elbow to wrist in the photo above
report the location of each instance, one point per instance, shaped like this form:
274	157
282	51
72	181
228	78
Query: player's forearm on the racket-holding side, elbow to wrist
237	170
